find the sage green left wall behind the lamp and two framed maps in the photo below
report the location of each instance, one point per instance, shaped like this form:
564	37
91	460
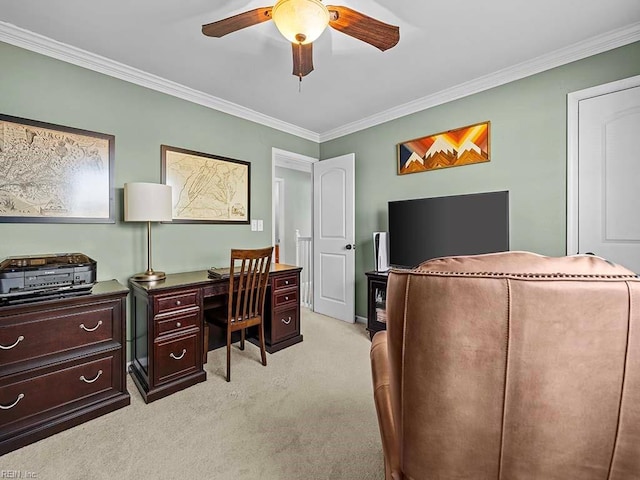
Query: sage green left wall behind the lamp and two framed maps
40	88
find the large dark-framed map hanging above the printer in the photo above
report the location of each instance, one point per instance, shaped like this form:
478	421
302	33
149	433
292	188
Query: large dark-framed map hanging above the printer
55	174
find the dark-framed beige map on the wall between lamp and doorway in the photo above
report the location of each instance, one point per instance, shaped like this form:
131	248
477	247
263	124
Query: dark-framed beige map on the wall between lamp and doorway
206	188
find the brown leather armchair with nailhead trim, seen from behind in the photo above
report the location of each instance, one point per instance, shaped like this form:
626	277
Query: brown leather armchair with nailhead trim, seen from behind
510	366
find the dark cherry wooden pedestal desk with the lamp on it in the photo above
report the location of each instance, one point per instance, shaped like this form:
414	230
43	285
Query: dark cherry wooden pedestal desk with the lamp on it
168	325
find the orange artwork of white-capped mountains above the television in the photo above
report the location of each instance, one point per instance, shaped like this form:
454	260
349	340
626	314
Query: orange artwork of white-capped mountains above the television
461	146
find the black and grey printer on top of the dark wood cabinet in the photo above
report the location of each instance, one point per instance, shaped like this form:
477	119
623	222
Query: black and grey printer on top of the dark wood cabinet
39	277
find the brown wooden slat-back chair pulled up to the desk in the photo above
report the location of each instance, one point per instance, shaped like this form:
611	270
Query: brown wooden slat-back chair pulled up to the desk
248	279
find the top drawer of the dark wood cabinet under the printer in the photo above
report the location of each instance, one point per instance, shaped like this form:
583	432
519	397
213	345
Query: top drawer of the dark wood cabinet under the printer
26	337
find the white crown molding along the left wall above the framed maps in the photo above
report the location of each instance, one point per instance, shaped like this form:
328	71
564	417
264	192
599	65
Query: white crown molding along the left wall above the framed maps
34	42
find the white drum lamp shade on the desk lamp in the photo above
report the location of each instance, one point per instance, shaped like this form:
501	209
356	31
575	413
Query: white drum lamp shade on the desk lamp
147	202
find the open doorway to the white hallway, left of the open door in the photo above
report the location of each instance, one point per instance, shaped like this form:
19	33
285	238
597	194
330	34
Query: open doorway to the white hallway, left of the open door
292	194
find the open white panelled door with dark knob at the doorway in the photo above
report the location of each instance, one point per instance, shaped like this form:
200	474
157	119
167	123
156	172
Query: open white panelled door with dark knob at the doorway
333	237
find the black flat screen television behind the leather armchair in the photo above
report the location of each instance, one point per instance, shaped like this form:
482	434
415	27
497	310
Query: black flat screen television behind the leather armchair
426	228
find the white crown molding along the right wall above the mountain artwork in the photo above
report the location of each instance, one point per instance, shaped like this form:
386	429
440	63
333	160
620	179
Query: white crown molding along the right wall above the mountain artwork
593	46
